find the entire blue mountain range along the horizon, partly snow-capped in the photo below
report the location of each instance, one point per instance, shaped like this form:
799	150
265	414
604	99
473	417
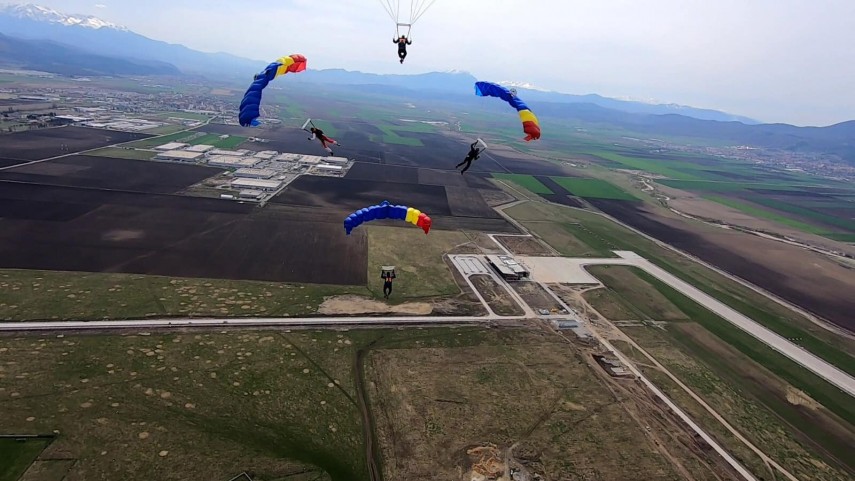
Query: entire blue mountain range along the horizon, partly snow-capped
39	38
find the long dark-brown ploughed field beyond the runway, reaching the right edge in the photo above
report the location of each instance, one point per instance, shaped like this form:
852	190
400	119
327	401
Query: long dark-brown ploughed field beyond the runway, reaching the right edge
808	280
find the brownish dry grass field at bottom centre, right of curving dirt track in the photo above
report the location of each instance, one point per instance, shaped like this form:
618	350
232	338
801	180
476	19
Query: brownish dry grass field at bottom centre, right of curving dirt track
514	388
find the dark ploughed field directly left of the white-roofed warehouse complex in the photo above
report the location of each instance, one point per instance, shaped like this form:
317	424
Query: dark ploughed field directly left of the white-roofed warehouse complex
94	172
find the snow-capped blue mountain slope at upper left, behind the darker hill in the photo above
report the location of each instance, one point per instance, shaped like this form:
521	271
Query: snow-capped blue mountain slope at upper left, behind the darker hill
104	38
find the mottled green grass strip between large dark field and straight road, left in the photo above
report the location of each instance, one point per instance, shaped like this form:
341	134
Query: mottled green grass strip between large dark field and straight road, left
33	295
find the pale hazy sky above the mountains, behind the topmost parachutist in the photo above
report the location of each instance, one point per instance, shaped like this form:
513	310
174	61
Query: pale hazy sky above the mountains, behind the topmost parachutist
788	61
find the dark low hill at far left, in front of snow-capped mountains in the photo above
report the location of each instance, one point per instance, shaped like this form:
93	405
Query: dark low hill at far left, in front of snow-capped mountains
53	57
